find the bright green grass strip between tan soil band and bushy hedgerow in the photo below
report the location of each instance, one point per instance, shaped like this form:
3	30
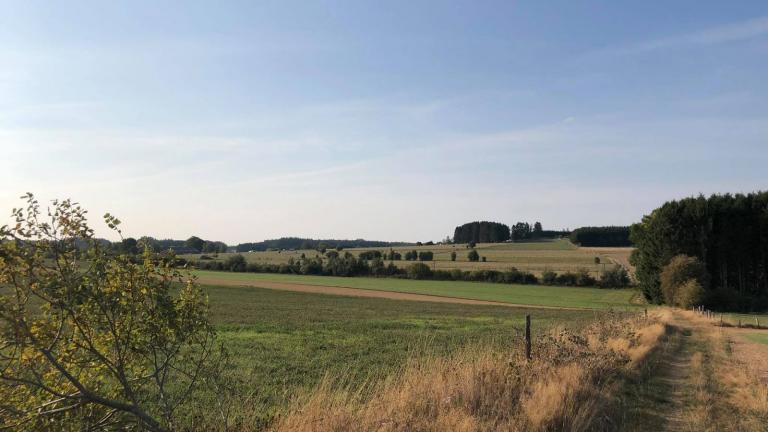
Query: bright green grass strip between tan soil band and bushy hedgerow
537	295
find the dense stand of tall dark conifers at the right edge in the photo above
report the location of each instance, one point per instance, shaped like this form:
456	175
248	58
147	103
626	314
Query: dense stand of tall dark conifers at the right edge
728	234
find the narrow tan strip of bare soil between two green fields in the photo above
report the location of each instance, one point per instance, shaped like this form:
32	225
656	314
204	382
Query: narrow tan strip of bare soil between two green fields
360	292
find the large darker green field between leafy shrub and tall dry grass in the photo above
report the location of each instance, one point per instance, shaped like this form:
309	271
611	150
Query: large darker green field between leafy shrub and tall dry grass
282	342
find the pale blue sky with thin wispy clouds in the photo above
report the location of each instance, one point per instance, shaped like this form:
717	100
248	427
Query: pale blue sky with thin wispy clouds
396	120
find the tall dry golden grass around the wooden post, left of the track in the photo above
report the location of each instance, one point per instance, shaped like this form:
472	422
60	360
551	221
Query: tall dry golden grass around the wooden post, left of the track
567	386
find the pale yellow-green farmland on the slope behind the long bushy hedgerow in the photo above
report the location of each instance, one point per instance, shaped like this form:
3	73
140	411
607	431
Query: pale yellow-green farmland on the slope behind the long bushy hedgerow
536	257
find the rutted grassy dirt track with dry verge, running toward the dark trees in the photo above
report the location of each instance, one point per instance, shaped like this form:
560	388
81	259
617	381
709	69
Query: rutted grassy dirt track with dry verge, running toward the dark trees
690	384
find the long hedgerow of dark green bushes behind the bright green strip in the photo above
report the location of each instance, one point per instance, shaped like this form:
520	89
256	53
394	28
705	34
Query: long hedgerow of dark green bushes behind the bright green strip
346	264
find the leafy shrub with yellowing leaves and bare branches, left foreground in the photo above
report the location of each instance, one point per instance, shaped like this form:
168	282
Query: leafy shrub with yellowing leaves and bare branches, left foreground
90	340
